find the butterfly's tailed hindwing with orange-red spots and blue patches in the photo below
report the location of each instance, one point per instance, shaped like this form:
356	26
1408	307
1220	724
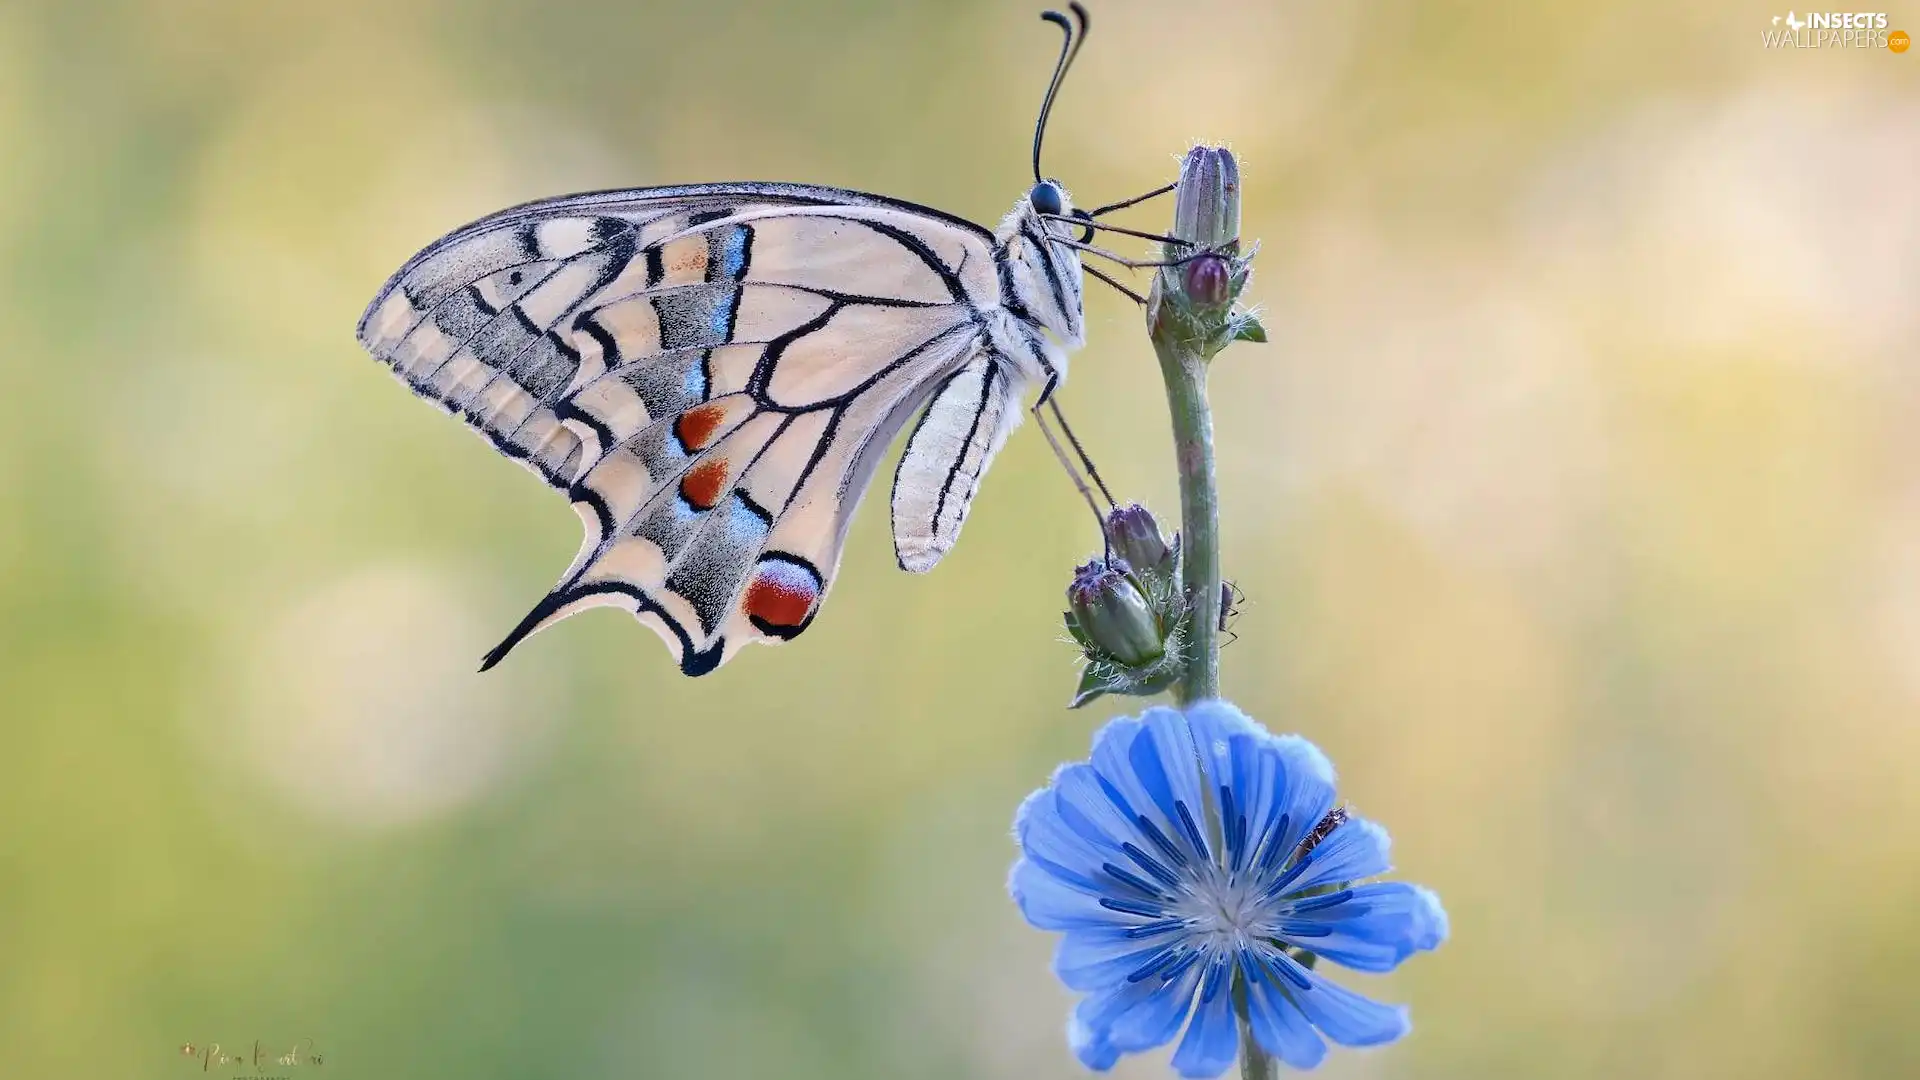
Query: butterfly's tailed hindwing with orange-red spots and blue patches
738	541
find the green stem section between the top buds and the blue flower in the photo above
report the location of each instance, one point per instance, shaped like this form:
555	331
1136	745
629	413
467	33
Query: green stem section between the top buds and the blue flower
1193	453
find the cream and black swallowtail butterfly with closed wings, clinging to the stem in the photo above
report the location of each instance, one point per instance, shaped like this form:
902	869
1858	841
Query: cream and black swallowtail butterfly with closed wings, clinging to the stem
711	374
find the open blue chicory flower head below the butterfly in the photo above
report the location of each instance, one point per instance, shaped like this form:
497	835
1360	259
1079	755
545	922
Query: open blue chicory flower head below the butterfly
1197	852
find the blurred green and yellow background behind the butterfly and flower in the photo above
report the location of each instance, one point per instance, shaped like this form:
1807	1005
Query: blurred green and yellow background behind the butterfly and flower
1575	503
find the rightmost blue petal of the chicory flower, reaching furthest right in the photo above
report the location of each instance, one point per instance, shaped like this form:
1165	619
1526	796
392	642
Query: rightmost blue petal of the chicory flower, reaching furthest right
1378	927
